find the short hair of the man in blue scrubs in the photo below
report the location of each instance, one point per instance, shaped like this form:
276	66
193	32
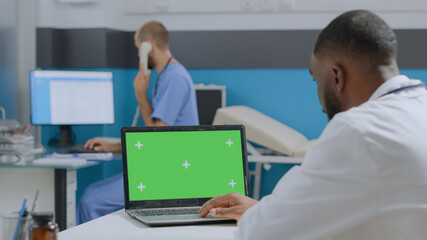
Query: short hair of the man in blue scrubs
156	32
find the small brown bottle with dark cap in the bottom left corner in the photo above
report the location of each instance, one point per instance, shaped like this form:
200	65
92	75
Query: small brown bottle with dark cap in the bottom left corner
43	227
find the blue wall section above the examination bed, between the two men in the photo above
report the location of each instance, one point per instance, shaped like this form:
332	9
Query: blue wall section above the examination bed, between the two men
288	95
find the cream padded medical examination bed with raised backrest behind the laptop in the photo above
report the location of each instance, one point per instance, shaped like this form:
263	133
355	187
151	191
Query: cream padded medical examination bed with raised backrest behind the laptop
281	143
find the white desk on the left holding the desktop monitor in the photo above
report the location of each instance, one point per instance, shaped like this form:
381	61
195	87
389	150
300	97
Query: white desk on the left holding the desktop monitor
57	185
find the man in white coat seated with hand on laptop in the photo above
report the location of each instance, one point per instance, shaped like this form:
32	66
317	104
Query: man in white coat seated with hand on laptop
366	177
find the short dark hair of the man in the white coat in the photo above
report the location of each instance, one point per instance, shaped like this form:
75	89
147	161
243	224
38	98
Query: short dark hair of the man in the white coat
358	33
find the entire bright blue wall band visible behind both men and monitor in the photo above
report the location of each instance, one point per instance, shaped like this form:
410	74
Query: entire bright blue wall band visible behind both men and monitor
288	95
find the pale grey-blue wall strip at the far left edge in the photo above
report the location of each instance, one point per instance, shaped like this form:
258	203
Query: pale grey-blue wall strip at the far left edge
17	56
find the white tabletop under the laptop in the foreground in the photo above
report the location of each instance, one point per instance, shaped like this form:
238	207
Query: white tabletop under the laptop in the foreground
119	225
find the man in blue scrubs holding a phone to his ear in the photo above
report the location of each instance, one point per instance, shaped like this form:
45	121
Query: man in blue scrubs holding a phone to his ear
173	103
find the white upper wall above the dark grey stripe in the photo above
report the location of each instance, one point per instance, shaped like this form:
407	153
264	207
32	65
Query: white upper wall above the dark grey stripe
302	14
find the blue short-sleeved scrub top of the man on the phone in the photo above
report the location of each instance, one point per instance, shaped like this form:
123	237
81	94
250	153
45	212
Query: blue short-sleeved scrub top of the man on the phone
174	98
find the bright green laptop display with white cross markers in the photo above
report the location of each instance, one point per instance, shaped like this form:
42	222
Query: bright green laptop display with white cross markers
184	164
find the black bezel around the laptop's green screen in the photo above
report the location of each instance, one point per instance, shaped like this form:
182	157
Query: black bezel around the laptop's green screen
177	202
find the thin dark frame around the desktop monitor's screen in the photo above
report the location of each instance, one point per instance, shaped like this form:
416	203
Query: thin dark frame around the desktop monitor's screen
66	124
